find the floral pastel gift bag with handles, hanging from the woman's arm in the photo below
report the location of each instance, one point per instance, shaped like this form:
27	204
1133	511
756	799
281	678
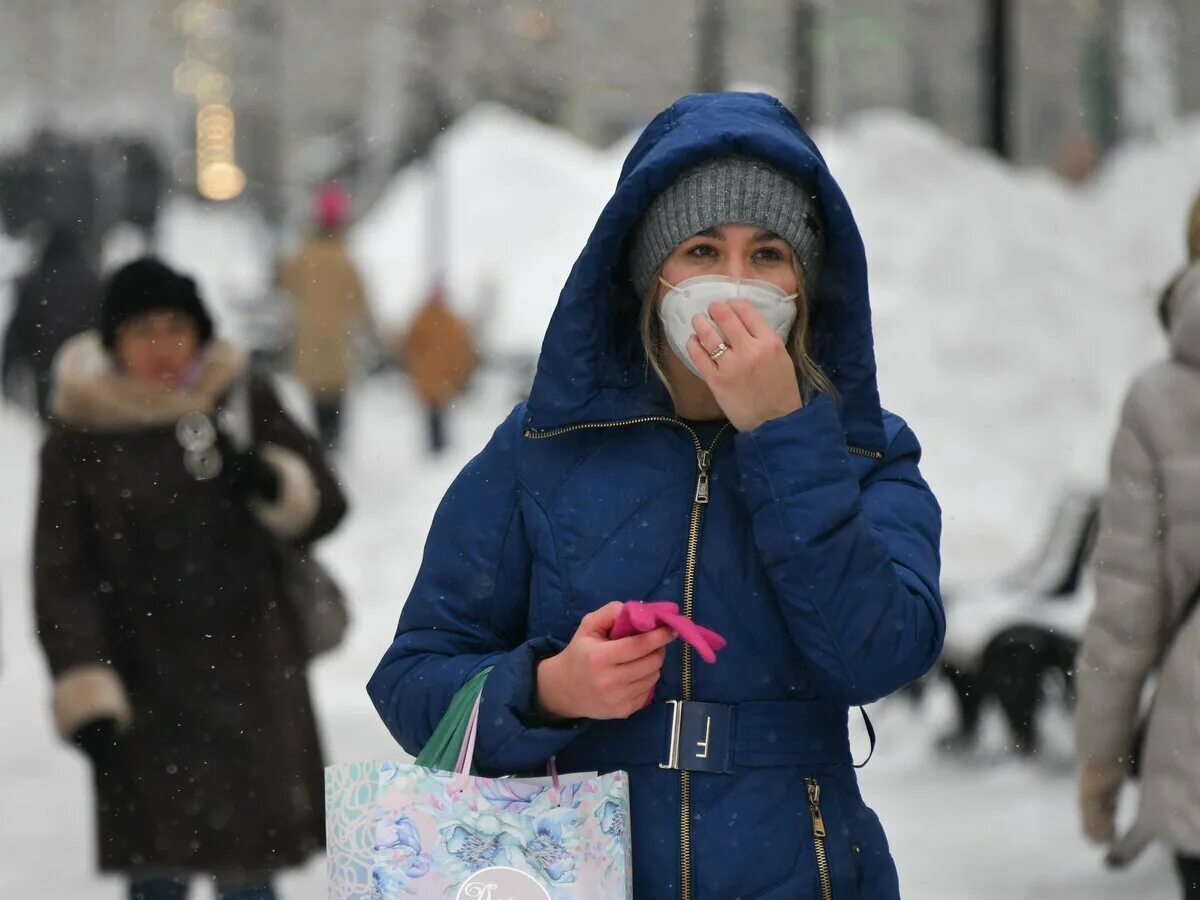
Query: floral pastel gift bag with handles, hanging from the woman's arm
413	831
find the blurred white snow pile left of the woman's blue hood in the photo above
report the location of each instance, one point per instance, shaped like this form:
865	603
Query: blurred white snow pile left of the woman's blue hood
521	200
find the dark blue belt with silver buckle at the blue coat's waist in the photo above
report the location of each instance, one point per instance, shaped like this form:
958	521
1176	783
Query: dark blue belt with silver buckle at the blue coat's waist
717	737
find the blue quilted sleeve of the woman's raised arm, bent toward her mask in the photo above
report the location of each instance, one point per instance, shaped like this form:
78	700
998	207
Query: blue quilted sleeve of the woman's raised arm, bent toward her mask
855	563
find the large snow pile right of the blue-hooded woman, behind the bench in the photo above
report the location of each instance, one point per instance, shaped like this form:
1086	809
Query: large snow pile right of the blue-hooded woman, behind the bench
1010	319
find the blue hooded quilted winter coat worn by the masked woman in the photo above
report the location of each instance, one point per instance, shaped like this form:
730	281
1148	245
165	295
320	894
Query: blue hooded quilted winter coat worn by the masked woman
818	559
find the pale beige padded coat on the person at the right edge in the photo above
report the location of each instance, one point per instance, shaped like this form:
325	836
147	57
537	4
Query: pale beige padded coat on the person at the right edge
1148	565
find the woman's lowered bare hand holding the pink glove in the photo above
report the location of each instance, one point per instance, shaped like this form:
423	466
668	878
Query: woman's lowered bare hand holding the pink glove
598	679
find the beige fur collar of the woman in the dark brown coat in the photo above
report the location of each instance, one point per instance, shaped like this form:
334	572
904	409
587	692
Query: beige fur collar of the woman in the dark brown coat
91	393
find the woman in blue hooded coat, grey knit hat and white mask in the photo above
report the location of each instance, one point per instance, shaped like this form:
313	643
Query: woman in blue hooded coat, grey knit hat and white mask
739	464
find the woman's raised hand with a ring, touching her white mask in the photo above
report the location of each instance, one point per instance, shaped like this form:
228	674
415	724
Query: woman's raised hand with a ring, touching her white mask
754	380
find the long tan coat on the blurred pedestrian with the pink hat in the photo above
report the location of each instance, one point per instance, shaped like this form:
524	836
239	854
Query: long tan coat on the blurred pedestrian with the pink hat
331	307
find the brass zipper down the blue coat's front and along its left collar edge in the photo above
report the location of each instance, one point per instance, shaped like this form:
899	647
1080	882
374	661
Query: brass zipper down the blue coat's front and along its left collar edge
699	501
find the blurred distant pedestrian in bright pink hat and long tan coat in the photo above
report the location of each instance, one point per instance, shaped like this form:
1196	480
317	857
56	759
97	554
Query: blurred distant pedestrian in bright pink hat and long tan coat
331	309
